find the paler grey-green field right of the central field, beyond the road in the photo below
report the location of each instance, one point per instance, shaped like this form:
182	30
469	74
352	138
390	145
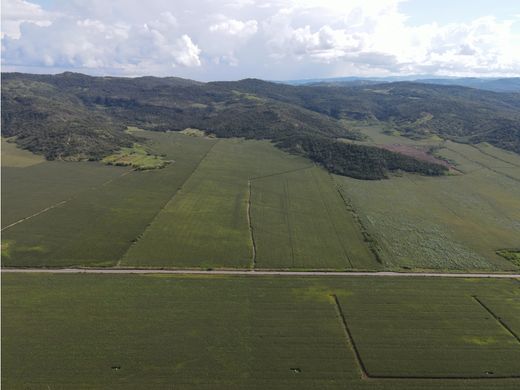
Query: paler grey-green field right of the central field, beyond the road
453	222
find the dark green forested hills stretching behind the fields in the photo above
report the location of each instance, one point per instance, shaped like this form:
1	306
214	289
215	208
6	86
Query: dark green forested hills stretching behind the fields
73	116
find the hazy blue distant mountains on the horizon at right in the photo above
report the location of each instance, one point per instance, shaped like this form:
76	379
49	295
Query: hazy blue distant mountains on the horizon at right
511	84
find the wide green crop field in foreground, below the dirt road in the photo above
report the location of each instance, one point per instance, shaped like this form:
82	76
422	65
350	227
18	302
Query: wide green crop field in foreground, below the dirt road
202	332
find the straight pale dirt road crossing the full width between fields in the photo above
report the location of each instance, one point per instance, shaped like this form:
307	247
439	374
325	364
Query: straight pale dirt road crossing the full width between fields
253	273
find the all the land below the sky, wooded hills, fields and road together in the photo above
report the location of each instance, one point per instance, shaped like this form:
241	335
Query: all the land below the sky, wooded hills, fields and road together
169	233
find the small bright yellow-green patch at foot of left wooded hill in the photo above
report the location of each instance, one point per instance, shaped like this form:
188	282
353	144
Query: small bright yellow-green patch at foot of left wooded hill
137	157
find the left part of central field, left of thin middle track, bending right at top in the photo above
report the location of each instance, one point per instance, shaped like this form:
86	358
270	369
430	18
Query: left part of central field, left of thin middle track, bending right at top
207	223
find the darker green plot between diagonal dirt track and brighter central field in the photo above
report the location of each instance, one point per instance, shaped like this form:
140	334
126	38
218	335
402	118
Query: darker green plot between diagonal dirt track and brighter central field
97	225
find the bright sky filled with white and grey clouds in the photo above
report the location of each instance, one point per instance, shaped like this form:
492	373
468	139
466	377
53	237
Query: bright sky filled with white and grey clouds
269	39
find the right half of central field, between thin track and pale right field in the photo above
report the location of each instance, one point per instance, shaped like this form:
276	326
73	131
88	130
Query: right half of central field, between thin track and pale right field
299	220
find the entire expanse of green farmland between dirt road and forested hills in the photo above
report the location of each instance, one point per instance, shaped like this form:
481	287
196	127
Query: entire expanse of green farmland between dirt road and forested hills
243	203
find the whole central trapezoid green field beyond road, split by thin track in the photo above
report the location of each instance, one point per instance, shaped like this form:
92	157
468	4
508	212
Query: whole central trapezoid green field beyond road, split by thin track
206	223
